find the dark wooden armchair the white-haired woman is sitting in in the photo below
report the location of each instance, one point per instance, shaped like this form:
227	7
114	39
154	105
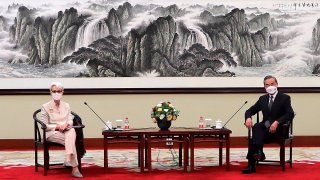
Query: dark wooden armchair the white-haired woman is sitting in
40	141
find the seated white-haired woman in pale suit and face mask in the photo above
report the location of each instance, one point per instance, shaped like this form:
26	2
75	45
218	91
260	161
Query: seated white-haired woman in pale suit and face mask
56	114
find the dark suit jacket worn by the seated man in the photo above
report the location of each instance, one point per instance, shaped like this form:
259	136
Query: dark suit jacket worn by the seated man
281	110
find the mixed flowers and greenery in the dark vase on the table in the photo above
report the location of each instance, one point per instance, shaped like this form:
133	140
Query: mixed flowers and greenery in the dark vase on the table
164	111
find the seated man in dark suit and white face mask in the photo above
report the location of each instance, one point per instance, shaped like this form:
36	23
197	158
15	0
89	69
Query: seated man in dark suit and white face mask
276	110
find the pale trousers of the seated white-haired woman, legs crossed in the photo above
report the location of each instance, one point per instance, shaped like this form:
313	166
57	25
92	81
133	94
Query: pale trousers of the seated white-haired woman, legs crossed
68	139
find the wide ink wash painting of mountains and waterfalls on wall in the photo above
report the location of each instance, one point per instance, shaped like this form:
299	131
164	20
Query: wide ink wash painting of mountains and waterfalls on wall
153	38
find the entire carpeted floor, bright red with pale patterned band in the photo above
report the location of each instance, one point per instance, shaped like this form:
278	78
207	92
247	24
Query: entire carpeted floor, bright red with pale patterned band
123	165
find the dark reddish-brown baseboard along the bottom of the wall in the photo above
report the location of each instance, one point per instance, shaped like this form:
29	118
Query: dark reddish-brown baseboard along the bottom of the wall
97	143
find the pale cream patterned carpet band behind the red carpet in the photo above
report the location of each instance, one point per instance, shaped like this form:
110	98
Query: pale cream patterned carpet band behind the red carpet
163	159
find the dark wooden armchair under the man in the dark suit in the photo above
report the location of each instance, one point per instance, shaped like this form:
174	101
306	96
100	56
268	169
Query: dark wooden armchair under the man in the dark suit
285	141
